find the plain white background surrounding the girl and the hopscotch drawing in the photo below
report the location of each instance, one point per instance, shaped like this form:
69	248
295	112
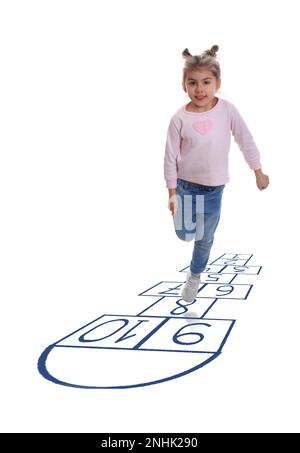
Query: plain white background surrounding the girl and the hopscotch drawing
87	92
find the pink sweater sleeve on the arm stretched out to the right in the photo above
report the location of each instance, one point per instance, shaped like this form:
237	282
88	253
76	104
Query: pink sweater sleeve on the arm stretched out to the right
244	139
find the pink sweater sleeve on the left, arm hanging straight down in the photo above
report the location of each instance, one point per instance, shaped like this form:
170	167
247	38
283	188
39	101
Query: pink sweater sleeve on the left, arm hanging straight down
172	150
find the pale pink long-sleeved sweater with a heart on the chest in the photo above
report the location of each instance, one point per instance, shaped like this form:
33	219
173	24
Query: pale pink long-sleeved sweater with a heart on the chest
197	145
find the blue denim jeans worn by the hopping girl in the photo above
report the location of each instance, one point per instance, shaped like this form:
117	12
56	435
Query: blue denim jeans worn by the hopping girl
197	217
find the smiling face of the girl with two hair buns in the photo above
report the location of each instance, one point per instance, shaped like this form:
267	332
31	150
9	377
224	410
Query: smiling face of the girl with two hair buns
201	86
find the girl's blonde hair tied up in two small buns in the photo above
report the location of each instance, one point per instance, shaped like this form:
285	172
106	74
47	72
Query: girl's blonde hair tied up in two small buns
205	60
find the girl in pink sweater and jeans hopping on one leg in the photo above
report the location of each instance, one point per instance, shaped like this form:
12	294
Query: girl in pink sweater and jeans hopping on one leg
196	159
